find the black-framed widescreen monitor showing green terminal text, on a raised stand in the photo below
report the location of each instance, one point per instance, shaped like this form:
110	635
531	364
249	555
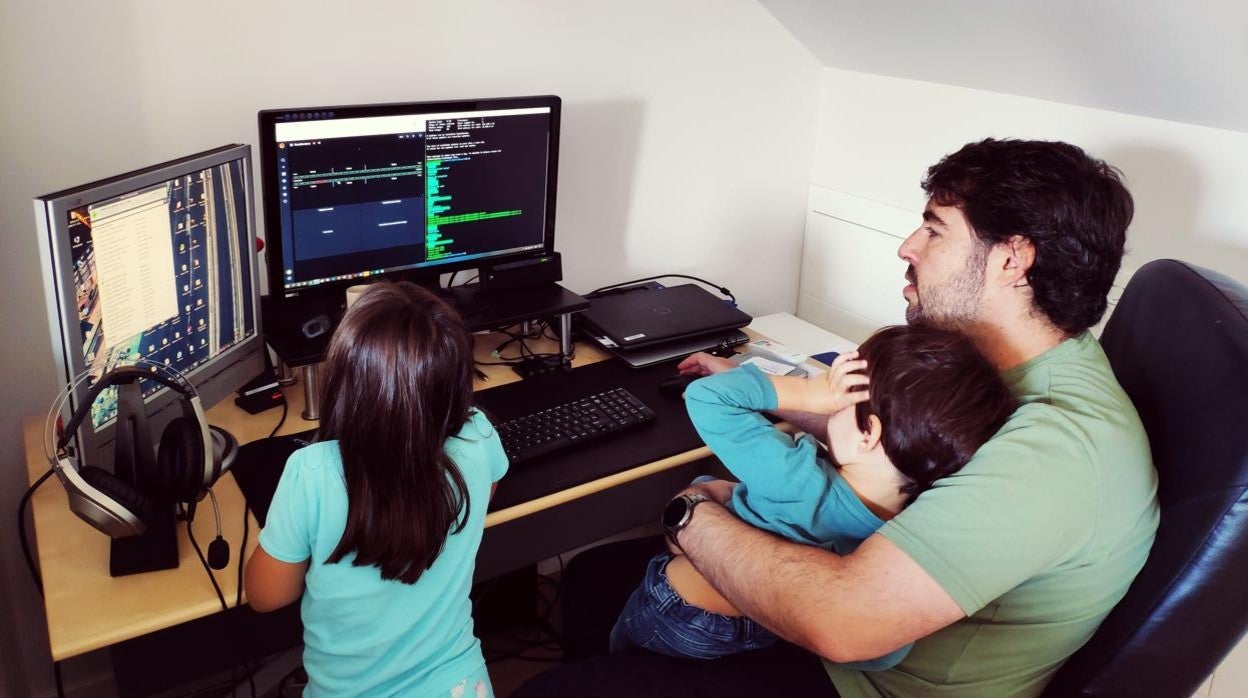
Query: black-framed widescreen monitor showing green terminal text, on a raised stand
415	190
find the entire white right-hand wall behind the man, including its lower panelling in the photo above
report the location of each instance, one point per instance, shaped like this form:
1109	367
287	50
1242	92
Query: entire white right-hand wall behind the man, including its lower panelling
878	135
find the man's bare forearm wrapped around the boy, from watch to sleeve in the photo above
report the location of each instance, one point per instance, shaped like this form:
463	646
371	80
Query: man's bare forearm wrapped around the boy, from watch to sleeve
844	609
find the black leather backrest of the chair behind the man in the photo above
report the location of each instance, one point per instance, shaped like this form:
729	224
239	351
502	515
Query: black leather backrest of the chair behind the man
1179	344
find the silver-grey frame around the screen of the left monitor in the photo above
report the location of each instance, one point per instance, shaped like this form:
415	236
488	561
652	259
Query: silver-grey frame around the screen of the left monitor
214	380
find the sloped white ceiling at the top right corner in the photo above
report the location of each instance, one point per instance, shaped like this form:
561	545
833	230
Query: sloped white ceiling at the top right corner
1176	61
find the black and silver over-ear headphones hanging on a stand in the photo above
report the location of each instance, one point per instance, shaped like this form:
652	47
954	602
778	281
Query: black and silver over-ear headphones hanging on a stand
188	461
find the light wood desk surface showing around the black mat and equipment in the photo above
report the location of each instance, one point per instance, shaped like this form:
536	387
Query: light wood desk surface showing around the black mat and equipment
88	609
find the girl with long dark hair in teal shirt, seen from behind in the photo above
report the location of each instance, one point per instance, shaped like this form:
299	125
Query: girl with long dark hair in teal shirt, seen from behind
378	525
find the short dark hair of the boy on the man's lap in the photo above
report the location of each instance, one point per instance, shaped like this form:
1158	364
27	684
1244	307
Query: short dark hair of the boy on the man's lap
938	400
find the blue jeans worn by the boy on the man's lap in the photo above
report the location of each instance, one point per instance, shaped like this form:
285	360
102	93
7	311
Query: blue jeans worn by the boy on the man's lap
657	619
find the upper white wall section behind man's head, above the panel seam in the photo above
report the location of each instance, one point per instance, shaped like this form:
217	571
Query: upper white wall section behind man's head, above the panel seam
878	135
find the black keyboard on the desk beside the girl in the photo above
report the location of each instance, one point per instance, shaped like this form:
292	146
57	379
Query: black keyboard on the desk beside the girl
572	424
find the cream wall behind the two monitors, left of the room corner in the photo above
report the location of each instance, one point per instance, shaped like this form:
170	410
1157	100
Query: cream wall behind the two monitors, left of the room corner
687	138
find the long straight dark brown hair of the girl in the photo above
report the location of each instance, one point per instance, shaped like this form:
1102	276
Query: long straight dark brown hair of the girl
397	385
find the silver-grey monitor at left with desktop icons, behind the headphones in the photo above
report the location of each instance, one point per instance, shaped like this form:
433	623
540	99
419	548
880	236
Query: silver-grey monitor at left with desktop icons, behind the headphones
157	265
